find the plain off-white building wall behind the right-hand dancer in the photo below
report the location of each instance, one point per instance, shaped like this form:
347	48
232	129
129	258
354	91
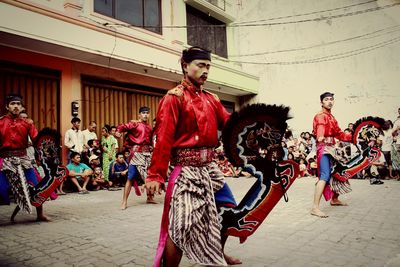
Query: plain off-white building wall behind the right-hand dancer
364	74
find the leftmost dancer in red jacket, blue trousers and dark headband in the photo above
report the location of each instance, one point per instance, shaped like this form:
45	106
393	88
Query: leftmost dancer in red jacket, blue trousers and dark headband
16	167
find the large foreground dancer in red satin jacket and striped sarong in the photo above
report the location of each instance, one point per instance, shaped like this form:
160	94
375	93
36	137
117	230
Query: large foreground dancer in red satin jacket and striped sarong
186	134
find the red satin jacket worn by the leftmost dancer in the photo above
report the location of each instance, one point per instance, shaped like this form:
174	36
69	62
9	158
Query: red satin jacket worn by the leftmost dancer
14	133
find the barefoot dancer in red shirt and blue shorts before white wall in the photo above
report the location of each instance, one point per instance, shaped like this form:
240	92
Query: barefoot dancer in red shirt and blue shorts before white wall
326	129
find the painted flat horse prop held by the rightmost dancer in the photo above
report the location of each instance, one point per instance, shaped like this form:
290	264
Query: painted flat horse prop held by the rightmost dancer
366	132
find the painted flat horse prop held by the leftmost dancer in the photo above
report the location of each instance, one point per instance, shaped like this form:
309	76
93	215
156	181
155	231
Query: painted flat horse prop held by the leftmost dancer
47	147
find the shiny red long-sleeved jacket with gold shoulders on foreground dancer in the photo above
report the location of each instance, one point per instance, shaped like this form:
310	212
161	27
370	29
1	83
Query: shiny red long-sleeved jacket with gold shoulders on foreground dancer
187	117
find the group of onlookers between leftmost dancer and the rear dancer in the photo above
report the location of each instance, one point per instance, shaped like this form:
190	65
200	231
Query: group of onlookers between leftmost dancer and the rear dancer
94	163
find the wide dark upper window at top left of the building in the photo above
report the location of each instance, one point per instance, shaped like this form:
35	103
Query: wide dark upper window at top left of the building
141	13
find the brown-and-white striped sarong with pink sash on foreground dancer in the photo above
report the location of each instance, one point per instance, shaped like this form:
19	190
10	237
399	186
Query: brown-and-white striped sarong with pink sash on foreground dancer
193	219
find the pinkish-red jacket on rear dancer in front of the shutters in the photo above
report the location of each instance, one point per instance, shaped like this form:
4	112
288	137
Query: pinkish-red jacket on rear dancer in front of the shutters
139	133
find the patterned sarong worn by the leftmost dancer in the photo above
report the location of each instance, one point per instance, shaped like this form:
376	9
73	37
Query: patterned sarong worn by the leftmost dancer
13	168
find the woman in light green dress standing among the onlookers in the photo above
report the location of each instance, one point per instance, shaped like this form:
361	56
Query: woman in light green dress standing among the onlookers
108	143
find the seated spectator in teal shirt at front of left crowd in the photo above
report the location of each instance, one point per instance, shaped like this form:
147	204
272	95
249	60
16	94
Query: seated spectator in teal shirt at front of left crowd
79	173
